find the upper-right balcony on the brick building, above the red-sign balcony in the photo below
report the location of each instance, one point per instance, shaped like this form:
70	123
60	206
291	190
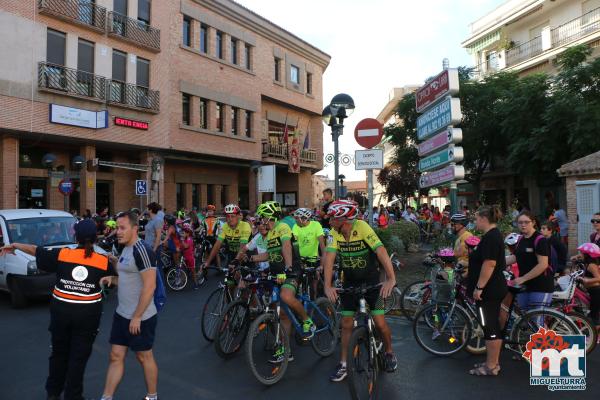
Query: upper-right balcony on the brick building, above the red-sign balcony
133	31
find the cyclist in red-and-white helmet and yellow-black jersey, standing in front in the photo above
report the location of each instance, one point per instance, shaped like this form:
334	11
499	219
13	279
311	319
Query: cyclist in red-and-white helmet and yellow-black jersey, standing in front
359	249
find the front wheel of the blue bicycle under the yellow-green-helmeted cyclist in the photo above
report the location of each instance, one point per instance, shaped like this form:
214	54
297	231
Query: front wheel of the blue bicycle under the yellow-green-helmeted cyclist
266	339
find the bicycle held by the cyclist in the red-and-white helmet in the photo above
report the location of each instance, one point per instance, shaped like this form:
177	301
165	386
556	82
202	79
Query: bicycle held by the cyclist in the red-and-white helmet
365	348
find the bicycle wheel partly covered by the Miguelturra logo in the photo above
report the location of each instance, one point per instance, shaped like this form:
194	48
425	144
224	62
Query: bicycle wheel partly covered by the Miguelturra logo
530	322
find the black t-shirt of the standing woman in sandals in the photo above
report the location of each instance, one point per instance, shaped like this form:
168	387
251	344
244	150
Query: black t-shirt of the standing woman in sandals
491	247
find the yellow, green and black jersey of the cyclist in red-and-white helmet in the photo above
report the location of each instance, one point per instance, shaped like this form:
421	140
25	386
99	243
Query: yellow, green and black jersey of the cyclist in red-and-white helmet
357	255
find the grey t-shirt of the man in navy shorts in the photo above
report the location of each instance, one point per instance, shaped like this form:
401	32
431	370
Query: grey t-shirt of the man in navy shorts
134	261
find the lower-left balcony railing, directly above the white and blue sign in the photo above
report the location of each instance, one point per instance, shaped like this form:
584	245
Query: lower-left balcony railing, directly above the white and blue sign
69	81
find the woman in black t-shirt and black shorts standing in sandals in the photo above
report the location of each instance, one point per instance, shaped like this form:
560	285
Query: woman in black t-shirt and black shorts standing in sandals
486	282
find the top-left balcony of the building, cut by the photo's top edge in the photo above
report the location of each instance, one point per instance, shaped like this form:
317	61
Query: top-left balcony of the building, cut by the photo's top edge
83	13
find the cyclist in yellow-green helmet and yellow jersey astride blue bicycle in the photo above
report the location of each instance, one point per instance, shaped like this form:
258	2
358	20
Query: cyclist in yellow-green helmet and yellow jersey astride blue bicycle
280	257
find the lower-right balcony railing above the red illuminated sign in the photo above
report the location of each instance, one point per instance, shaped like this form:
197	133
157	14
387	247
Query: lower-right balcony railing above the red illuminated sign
132	96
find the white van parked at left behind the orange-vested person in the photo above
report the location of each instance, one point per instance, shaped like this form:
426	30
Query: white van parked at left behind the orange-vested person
19	273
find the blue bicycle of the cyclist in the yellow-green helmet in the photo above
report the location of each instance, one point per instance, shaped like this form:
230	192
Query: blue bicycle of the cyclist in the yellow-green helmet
267	337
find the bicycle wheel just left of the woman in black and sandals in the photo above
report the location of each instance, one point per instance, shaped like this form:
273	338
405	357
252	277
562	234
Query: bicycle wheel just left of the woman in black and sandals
441	330
